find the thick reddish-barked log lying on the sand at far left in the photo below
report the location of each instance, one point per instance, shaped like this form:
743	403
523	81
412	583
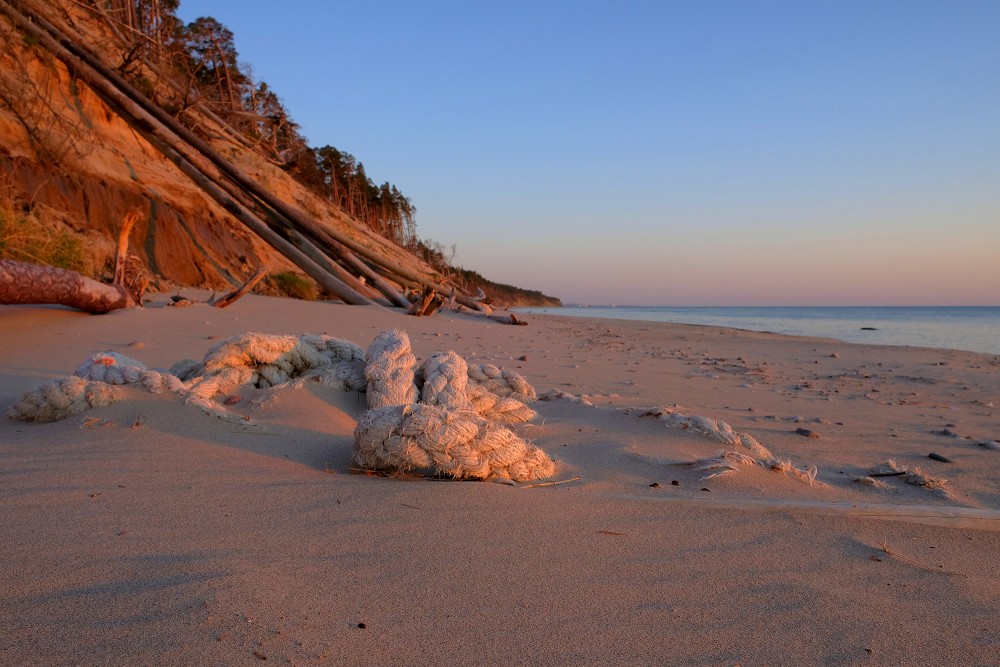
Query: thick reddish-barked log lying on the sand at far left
22	283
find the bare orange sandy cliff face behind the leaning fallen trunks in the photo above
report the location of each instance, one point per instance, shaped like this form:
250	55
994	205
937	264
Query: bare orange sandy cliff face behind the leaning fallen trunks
62	150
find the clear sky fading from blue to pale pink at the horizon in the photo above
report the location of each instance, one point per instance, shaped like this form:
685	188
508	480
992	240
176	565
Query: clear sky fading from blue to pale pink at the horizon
666	153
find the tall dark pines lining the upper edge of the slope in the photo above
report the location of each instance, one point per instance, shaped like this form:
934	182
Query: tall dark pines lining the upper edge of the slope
200	60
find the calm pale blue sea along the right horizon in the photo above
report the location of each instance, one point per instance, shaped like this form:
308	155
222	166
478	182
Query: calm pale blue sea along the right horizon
958	328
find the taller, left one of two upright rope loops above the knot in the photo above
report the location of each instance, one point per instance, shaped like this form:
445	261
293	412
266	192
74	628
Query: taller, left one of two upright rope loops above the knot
390	370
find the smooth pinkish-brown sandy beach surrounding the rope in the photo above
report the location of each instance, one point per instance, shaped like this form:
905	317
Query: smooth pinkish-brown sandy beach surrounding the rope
149	533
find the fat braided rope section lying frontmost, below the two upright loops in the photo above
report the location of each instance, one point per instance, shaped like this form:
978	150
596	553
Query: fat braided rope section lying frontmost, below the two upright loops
454	443
